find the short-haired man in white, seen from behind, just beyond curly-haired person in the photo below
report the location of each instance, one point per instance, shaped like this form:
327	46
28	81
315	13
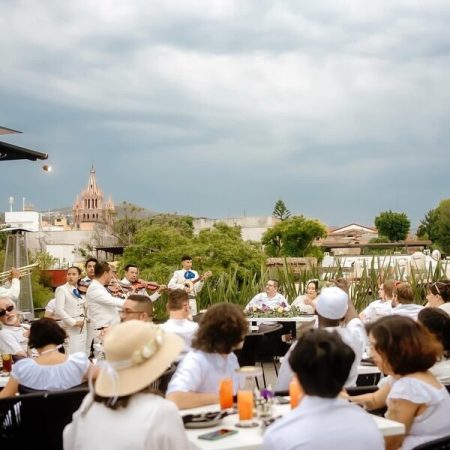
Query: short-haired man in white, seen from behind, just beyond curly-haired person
179	323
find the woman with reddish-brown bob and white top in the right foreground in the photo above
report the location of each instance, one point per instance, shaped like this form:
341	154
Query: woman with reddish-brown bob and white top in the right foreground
405	350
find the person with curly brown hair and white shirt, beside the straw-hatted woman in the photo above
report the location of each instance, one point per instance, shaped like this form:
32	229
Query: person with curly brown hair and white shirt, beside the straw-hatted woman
196	380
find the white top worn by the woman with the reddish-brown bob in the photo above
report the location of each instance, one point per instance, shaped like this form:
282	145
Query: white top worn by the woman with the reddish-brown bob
434	422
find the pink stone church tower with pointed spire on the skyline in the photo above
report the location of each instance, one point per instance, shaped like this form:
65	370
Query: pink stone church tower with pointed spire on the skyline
90	208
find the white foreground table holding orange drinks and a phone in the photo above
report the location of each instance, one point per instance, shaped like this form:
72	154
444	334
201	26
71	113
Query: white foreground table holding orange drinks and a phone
252	438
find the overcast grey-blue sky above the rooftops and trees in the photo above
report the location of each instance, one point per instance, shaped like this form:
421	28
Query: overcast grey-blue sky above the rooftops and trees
219	108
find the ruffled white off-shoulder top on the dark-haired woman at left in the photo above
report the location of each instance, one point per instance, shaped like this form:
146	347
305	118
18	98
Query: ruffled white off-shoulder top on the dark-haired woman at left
57	377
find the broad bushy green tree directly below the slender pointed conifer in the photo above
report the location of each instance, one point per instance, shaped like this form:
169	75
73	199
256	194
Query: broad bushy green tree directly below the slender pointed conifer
293	237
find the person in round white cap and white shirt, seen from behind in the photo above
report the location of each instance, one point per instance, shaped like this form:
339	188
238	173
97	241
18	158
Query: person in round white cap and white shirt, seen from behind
335	313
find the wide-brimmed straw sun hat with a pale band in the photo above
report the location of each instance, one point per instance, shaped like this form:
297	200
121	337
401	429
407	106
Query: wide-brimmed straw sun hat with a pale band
137	353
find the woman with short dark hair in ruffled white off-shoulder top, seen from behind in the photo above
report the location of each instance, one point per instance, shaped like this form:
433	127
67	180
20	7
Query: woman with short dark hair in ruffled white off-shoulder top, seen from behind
51	370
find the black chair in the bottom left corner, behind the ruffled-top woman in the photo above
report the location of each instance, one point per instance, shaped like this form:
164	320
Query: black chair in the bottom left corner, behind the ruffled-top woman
36	421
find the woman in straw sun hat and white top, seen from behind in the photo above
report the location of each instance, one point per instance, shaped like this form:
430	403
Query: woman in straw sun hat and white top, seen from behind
124	412
